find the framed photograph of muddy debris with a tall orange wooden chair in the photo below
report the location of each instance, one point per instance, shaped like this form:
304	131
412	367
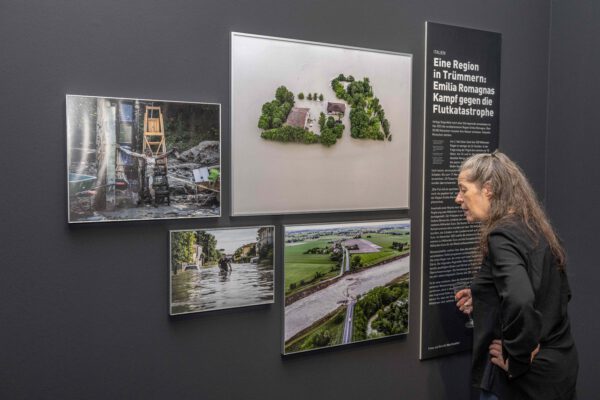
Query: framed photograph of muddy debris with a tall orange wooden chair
134	159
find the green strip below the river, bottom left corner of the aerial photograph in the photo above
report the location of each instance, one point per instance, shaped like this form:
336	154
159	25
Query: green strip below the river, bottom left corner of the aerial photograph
329	333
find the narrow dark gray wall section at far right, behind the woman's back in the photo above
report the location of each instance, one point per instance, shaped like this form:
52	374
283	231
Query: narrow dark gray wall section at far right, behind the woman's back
573	185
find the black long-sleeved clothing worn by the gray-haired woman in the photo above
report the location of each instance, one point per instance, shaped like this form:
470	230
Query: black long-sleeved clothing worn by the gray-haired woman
520	296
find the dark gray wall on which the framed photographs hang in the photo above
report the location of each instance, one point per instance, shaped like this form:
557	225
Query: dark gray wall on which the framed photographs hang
83	309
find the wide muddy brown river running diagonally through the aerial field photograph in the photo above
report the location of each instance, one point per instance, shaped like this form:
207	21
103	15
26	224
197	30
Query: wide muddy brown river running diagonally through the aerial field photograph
304	312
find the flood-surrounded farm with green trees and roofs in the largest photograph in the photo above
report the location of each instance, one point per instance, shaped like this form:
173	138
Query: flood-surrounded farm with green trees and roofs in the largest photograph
284	119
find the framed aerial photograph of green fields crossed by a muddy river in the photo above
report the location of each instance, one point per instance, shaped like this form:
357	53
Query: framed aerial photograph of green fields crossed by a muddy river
345	283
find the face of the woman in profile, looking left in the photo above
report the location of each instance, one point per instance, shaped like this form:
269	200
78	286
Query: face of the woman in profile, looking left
474	201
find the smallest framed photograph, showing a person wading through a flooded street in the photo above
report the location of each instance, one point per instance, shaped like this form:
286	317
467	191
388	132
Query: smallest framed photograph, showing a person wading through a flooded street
215	269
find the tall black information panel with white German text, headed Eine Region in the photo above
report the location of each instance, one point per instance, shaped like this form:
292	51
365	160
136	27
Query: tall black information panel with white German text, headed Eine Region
461	119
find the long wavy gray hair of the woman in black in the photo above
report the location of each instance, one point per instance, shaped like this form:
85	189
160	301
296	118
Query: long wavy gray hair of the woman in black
512	194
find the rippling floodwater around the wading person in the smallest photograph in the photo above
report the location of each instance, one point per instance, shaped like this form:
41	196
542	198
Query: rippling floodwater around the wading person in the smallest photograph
212	289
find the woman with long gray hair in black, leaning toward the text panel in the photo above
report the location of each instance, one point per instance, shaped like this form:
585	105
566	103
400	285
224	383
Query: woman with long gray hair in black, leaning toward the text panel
522	344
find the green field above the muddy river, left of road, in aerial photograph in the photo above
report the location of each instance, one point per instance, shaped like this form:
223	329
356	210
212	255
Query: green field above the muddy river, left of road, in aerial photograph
302	267
